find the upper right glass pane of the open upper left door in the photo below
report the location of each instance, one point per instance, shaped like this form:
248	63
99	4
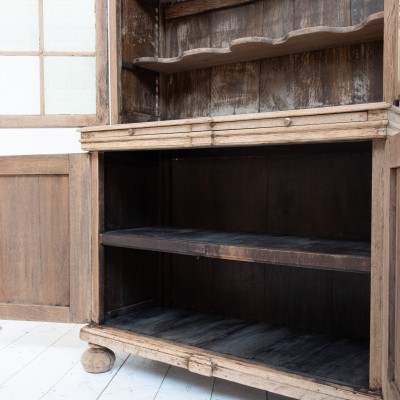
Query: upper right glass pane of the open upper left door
69	25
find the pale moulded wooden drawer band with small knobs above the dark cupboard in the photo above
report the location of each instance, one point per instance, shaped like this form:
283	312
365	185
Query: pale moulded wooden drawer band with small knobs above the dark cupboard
324	124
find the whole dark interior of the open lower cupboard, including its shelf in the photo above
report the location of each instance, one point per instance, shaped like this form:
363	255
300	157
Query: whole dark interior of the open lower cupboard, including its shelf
316	197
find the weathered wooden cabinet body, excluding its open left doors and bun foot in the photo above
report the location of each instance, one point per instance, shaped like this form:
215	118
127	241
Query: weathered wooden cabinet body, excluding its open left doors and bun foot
244	204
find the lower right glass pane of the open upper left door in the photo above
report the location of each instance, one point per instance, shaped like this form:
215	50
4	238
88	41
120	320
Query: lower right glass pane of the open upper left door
70	85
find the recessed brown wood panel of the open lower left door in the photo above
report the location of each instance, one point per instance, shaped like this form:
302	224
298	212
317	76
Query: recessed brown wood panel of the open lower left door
35	240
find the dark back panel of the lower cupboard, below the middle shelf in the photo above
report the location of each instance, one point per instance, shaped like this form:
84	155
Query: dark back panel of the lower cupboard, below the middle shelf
322	301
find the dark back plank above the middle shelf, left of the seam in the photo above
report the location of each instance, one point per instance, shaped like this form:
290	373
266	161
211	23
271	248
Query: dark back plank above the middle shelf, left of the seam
219	193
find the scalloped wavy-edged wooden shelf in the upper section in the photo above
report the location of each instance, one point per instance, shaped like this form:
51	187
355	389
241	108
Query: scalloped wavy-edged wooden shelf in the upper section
254	48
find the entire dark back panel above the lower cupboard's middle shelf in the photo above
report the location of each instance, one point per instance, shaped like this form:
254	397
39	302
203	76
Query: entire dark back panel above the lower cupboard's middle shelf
307	190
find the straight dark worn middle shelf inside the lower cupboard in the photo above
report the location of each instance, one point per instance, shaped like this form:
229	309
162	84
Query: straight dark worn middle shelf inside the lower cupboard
325	254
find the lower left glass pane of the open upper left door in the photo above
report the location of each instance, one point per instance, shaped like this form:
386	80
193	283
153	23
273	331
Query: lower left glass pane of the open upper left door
19	85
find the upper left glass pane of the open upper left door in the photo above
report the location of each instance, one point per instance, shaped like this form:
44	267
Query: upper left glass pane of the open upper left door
19	25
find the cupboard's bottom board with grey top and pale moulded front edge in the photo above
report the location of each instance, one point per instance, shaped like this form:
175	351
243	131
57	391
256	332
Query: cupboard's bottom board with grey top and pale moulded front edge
207	344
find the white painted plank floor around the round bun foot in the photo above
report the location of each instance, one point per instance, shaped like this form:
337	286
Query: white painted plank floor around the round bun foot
40	360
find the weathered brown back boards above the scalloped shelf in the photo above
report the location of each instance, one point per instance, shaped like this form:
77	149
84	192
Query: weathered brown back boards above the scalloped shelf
269	18
